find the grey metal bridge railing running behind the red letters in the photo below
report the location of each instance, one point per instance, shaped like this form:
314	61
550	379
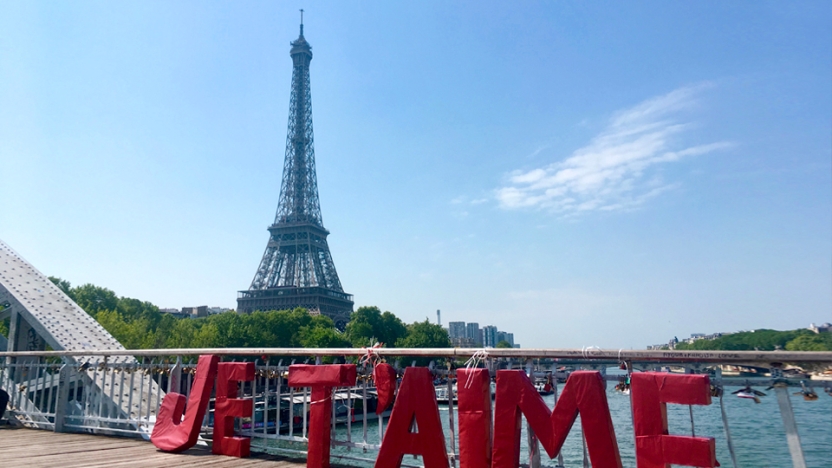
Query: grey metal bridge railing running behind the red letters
102	392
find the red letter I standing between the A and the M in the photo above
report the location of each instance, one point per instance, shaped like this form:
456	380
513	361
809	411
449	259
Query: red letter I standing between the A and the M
474	392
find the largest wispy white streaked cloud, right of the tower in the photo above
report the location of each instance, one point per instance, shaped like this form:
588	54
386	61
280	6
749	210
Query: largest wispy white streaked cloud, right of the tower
618	169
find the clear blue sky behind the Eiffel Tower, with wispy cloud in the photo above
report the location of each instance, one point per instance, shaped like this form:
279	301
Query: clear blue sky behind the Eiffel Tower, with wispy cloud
581	174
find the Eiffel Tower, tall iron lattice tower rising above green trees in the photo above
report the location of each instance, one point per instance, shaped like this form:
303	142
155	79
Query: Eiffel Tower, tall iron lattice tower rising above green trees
297	268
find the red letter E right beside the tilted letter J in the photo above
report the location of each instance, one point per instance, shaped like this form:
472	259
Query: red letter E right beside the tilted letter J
228	406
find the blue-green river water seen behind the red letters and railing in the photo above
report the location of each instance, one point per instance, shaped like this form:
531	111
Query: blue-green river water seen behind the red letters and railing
756	429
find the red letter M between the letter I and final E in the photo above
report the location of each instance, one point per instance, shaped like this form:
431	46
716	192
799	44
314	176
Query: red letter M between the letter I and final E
584	393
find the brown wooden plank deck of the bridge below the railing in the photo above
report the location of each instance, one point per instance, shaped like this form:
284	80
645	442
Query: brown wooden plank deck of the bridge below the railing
34	448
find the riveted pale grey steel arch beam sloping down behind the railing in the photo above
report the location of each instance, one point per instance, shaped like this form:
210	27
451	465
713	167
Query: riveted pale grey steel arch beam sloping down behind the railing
42	315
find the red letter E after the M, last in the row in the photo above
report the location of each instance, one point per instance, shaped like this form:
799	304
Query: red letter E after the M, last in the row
651	391
